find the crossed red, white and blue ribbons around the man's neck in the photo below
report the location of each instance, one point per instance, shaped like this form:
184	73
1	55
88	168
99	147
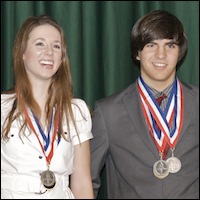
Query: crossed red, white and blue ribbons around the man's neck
173	113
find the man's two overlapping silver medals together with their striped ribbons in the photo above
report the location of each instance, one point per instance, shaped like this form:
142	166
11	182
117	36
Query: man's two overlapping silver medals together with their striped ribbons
169	122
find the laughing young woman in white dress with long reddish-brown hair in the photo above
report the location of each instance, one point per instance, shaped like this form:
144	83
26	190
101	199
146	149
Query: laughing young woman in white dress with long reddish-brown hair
45	131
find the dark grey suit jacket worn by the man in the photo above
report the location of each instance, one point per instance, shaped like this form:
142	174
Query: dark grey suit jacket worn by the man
122	141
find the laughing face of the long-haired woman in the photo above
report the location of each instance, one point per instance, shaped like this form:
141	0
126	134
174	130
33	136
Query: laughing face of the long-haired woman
43	54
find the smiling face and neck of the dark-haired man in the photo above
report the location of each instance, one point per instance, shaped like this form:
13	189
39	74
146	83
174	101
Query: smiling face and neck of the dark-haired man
158	60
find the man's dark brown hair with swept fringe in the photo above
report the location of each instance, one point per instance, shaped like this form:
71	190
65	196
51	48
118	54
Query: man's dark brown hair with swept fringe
155	25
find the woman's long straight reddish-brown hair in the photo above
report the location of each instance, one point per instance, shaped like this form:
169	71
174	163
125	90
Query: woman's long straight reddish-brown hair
60	91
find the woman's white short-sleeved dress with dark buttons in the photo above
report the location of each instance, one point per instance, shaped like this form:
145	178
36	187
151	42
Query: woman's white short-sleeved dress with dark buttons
22	160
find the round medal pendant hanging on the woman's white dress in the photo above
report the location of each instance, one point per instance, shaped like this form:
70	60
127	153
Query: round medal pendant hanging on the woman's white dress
48	179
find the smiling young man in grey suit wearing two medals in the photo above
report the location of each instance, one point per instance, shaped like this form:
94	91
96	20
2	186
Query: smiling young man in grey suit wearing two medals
150	151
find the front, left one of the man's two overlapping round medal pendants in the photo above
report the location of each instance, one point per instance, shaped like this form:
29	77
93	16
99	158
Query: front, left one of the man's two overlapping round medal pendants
161	169
